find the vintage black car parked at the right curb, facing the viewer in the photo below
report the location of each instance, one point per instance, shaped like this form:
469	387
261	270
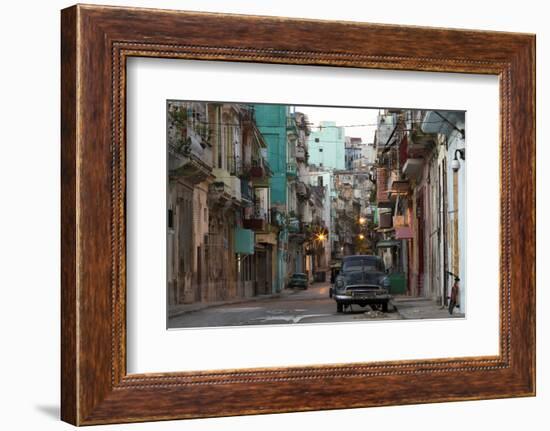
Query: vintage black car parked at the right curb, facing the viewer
362	280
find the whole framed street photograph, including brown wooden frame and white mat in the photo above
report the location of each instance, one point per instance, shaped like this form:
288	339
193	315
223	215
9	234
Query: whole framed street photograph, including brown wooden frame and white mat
263	215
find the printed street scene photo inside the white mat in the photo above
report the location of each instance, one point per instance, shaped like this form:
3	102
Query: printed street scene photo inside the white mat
266	196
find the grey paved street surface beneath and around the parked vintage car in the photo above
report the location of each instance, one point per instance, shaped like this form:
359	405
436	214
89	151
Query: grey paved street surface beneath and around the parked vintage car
301	306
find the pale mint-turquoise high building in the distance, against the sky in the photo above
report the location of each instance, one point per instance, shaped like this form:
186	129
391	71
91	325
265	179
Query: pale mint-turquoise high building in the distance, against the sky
327	146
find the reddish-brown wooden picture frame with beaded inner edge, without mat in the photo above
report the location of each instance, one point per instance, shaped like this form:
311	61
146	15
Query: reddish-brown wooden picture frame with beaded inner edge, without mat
95	43
